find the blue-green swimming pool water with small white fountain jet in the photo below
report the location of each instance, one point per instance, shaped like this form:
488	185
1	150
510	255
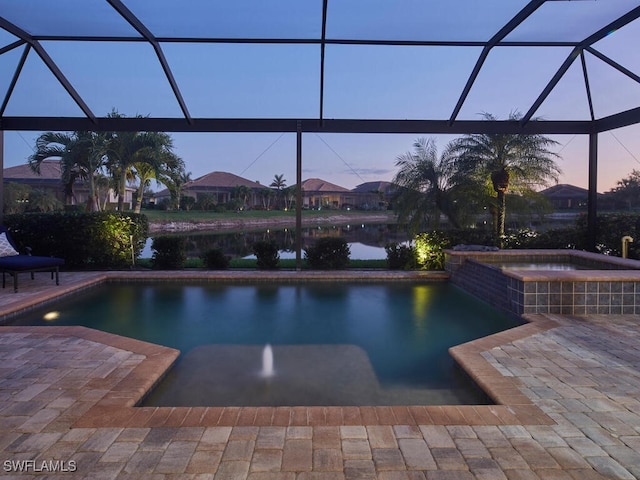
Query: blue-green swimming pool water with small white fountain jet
294	344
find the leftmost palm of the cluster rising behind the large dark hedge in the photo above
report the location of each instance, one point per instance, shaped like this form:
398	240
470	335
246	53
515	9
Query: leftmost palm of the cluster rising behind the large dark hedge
82	156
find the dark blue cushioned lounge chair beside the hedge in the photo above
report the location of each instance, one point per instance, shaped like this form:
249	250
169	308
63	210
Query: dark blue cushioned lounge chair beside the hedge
12	262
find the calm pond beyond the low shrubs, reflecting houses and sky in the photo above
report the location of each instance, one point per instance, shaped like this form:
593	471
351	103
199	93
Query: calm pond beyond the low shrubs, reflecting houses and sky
365	241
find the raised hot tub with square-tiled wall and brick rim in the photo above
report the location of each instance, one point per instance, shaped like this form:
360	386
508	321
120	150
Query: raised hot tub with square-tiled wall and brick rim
568	282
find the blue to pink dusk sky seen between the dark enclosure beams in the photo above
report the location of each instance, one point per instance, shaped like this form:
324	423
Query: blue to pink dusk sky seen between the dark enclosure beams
394	82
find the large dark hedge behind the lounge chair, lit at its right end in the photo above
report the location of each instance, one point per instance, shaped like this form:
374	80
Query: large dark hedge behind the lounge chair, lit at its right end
84	240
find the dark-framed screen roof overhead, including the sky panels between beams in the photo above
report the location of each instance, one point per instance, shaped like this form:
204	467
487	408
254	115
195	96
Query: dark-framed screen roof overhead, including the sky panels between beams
342	66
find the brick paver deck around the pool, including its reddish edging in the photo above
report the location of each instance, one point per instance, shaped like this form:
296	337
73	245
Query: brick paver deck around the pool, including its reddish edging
568	391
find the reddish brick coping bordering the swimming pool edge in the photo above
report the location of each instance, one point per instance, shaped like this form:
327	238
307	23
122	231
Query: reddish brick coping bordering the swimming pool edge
118	407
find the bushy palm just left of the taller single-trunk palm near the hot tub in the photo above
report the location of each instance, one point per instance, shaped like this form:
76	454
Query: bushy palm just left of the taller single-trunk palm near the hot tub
424	185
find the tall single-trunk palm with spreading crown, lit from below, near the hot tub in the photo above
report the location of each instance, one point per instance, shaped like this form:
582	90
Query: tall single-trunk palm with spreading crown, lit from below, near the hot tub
505	161
